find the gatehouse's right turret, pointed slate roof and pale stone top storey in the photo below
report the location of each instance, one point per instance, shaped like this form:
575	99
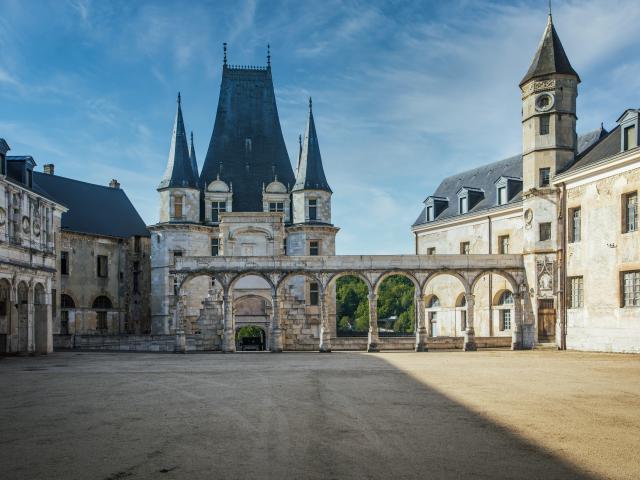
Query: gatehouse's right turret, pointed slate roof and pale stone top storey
311	192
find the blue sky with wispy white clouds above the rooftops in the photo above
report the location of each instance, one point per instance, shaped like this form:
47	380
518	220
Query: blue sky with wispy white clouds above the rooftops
404	92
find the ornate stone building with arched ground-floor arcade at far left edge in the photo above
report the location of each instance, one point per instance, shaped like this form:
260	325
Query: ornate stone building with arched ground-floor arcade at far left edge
29	225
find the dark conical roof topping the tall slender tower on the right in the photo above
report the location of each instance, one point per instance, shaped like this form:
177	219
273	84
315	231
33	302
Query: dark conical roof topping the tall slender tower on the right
550	57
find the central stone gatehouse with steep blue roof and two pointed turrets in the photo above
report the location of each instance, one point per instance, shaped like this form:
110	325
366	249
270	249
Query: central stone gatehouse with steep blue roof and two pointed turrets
246	201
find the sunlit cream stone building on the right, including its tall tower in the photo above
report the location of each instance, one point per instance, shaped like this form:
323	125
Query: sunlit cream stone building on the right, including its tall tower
567	204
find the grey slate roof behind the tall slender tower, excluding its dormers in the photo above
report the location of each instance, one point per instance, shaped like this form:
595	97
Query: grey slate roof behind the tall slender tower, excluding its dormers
484	178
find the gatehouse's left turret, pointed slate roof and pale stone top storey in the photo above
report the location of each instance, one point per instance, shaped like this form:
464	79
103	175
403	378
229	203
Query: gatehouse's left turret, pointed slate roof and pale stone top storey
179	192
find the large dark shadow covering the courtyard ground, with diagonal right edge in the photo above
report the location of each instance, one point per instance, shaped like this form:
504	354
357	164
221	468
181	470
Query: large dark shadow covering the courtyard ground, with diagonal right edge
311	416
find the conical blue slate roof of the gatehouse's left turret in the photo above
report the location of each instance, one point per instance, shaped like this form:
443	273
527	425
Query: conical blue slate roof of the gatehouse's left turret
179	172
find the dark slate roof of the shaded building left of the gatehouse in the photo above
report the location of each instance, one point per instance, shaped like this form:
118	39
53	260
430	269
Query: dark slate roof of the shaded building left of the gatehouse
93	209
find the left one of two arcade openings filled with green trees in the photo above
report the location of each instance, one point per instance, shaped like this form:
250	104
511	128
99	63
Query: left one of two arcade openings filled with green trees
352	306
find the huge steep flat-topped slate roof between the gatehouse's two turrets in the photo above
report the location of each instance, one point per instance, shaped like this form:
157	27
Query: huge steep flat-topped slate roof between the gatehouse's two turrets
247	148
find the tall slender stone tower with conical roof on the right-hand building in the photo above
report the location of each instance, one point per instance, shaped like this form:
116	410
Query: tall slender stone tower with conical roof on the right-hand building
549	142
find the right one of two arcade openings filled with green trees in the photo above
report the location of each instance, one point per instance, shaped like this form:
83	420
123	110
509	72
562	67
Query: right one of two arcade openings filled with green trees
396	306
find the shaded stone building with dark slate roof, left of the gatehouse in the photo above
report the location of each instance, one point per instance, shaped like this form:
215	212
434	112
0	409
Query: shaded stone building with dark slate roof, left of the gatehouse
103	260
